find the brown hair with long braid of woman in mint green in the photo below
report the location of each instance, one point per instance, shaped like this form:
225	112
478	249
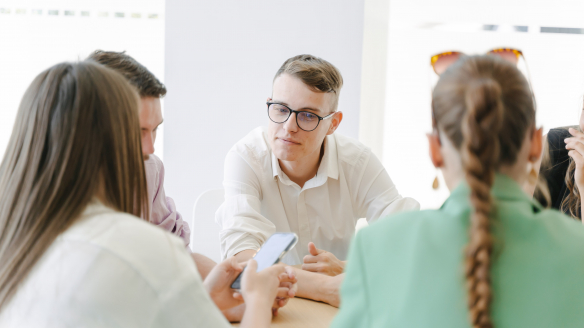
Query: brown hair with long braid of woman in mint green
485	107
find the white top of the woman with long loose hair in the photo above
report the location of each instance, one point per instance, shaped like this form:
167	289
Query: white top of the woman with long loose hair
113	270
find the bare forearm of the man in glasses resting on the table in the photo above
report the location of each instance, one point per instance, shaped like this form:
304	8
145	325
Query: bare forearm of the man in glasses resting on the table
319	287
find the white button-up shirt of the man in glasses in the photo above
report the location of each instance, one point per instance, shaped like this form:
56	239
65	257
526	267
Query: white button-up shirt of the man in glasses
350	183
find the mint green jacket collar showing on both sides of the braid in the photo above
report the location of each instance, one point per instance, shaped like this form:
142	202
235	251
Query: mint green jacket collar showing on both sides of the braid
504	188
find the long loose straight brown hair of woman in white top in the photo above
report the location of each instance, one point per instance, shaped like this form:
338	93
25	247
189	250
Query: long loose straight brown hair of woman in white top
76	131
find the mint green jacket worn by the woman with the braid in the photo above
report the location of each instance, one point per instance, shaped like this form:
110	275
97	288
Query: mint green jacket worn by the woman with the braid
407	270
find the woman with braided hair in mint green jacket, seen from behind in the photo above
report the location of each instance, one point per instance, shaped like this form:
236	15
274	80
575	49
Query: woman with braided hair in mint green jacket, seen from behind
491	256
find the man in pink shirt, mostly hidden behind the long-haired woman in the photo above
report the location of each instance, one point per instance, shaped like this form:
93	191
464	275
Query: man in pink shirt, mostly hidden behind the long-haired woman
163	211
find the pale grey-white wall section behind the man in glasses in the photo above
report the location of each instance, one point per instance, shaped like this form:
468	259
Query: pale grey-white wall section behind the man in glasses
221	57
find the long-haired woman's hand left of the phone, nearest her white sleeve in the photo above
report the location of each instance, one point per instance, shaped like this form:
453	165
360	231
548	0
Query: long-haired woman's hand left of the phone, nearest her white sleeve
218	283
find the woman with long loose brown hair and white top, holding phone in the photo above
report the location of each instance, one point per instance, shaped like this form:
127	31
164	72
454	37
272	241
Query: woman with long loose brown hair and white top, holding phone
73	251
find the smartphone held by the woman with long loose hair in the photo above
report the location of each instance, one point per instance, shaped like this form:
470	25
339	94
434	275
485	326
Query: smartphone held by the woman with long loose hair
271	252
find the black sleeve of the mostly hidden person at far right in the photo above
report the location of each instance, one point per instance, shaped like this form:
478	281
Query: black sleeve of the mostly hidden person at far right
554	166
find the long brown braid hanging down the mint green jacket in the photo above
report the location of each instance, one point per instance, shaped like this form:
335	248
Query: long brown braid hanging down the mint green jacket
480	156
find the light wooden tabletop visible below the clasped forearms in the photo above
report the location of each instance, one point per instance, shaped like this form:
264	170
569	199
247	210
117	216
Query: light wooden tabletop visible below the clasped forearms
300	312
